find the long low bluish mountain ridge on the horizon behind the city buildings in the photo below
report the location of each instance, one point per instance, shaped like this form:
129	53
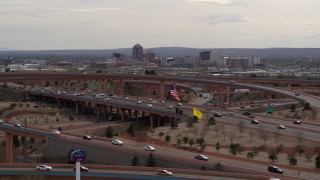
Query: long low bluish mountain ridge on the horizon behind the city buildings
175	51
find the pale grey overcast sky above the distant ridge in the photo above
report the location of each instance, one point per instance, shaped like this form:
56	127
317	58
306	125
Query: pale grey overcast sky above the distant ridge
108	24
